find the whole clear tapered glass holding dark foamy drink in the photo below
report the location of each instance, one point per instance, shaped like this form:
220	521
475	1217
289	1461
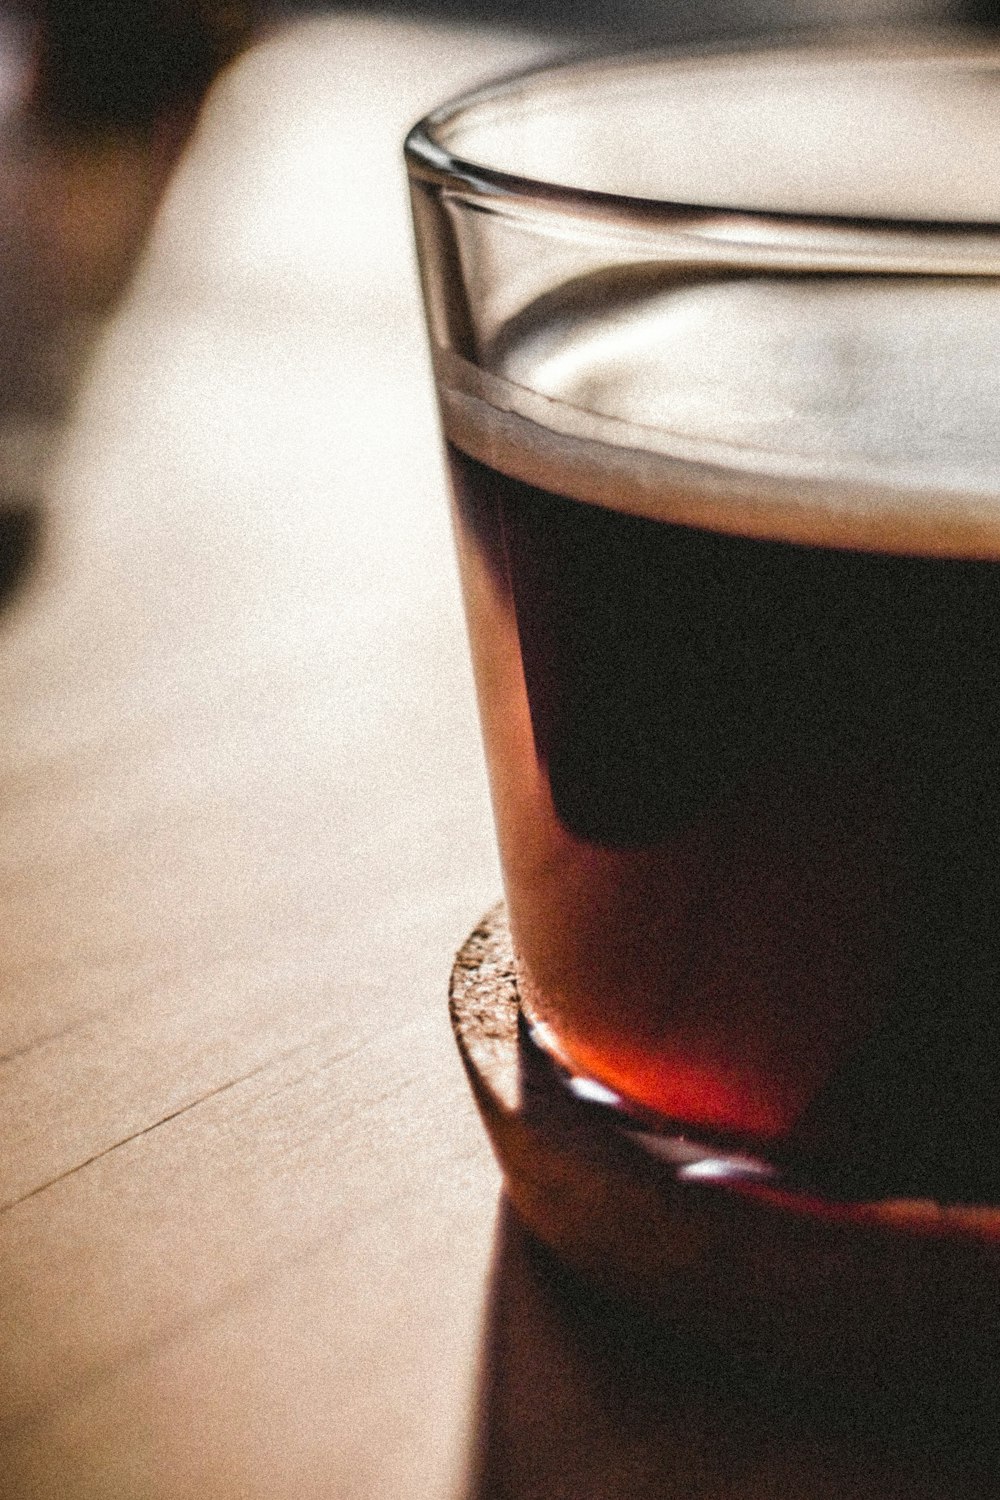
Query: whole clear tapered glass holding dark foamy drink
717	347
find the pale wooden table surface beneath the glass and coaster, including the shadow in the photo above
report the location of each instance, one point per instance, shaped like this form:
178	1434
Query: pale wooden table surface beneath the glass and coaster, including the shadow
250	1234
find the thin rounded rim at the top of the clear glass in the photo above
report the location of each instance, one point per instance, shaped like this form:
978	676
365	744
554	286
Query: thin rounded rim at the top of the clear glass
431	160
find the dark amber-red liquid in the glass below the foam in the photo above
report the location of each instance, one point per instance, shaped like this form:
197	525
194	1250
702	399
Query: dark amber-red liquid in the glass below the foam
749	803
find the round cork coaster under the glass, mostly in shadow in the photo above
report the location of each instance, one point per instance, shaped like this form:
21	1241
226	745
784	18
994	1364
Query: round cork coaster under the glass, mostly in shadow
858	1292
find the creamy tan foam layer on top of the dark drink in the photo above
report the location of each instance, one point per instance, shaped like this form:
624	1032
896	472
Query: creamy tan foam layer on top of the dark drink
831	410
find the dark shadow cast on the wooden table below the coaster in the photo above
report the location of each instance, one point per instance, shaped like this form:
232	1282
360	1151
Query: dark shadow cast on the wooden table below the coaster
585	1402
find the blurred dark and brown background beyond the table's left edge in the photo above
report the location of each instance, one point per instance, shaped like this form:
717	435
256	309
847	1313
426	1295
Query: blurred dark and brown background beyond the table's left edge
97	101
